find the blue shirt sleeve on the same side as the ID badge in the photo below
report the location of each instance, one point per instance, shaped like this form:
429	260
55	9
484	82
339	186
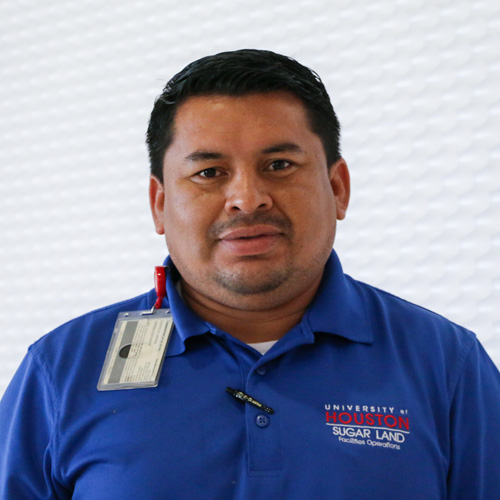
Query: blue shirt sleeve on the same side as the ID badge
27	420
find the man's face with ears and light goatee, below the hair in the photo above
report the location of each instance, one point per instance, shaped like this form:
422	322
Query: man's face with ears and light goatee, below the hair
248	206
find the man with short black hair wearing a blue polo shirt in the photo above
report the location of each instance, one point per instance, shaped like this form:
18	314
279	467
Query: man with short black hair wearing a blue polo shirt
283	378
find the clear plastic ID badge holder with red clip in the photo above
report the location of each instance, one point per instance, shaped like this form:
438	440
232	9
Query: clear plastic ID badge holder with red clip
137	349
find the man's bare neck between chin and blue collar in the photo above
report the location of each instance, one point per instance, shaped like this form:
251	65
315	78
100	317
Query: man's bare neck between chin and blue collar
258	324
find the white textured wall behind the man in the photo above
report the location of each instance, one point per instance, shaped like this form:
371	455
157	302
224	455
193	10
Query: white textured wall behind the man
416	86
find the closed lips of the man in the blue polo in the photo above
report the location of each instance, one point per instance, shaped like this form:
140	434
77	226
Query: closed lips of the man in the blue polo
250	240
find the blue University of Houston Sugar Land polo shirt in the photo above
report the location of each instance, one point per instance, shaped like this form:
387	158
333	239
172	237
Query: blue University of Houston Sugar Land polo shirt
373	398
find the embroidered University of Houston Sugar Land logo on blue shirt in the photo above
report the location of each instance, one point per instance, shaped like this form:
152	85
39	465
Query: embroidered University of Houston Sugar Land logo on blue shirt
368	425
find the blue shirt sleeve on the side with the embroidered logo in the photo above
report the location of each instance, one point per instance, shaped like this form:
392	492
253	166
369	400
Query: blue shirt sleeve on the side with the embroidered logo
475	430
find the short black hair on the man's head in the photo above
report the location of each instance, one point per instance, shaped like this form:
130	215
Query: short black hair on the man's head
237	73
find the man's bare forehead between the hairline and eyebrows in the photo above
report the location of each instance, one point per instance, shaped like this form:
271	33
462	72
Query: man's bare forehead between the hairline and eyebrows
254	117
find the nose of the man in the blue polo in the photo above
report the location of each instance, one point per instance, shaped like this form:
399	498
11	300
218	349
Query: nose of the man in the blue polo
247	193
